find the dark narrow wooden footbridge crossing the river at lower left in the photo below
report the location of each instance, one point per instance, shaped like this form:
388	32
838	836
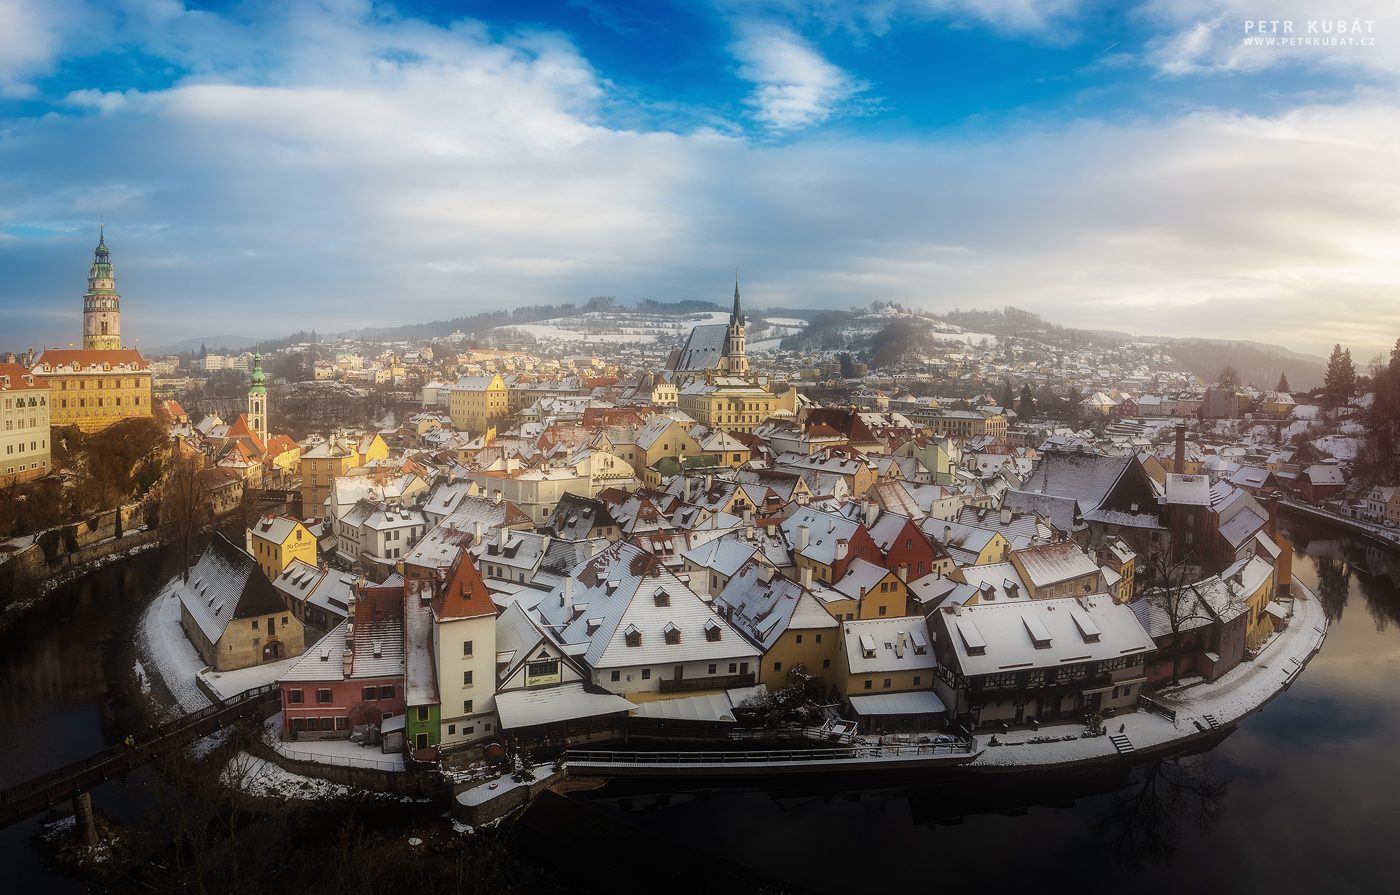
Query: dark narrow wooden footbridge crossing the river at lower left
44	792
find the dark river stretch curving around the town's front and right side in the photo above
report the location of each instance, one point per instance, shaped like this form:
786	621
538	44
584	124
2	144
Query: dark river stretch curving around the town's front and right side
1303	798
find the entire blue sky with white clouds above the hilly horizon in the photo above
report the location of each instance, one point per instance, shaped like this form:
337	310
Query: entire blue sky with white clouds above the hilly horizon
267	167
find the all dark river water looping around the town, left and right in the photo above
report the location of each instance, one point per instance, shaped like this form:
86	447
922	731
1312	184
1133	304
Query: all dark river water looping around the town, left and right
1304	798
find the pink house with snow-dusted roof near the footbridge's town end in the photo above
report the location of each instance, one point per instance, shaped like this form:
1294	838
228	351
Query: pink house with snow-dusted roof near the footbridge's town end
349	680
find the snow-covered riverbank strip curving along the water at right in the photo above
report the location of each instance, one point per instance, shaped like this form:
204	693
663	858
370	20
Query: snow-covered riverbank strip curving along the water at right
1241	693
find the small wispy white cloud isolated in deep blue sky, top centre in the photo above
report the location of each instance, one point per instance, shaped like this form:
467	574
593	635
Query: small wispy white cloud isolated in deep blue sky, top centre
796	86
